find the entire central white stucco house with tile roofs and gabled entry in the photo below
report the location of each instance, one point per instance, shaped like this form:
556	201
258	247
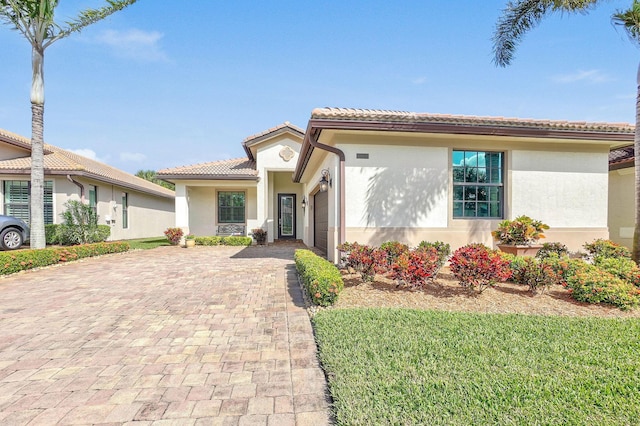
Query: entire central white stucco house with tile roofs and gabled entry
408	177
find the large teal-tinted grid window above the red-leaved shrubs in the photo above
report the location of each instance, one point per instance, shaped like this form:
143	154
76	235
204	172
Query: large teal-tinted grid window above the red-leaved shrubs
478	188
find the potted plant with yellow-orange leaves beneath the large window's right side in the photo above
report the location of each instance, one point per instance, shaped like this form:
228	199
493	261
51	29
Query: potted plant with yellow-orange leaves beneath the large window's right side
520	235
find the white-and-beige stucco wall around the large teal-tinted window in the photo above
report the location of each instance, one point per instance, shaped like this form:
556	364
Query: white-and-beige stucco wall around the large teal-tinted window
403	191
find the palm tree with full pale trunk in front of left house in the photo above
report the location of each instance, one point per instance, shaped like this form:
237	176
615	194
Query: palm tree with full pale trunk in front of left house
34	19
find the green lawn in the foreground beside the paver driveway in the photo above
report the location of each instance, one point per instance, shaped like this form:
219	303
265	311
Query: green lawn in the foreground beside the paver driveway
406	367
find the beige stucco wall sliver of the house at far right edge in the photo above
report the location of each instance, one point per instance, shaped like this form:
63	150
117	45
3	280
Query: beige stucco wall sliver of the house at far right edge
621	206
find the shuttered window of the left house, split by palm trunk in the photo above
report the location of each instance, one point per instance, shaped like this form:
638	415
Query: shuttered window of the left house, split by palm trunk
17	200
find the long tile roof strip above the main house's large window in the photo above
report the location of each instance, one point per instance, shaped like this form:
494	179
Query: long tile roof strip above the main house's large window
479	121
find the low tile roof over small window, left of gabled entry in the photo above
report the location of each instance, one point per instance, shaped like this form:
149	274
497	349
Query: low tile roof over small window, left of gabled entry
237	168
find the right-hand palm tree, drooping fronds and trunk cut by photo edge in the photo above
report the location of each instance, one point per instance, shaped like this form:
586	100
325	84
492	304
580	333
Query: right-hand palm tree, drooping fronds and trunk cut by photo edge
521	16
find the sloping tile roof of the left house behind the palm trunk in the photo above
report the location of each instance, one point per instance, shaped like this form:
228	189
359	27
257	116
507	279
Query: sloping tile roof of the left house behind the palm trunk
60	161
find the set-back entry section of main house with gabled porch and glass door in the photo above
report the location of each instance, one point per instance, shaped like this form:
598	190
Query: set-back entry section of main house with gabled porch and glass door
255	191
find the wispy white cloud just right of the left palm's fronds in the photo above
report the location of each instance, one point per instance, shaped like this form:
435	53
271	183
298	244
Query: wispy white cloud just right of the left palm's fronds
134	43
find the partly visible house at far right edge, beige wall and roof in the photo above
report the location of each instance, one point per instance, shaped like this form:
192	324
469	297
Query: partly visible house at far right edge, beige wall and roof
622	195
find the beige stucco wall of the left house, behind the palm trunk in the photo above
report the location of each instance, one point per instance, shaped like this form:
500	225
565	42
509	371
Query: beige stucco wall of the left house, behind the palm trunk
148	215
